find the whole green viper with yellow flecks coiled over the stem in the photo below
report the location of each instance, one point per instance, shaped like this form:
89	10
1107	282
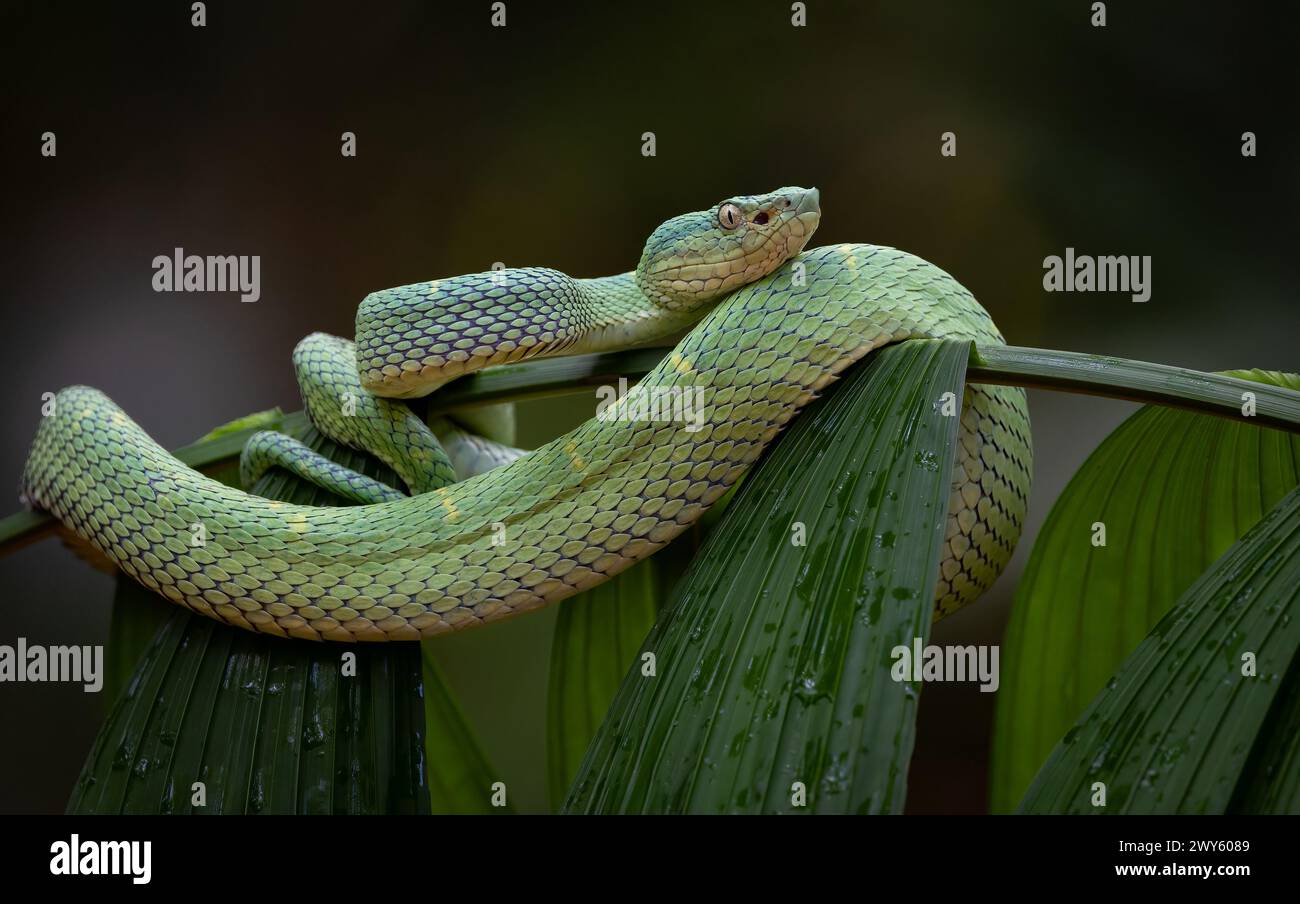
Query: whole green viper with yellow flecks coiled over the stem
766	326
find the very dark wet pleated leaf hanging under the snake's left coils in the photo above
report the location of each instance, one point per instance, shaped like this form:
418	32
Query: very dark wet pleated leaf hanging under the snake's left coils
267	725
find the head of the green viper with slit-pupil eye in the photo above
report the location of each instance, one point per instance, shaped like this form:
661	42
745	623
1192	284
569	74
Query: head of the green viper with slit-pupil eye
696	258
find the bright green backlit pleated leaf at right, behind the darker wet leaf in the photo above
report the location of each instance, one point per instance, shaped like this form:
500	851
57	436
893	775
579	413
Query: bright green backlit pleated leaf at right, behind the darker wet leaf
1173	491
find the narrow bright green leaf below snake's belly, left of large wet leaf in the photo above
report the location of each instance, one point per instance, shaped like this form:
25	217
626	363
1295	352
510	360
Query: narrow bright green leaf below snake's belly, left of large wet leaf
596	642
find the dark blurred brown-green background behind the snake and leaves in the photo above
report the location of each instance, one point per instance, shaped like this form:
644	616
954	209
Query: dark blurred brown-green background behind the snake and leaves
523	145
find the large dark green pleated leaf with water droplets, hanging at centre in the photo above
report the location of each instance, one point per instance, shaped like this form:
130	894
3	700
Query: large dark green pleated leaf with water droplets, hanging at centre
773	660
